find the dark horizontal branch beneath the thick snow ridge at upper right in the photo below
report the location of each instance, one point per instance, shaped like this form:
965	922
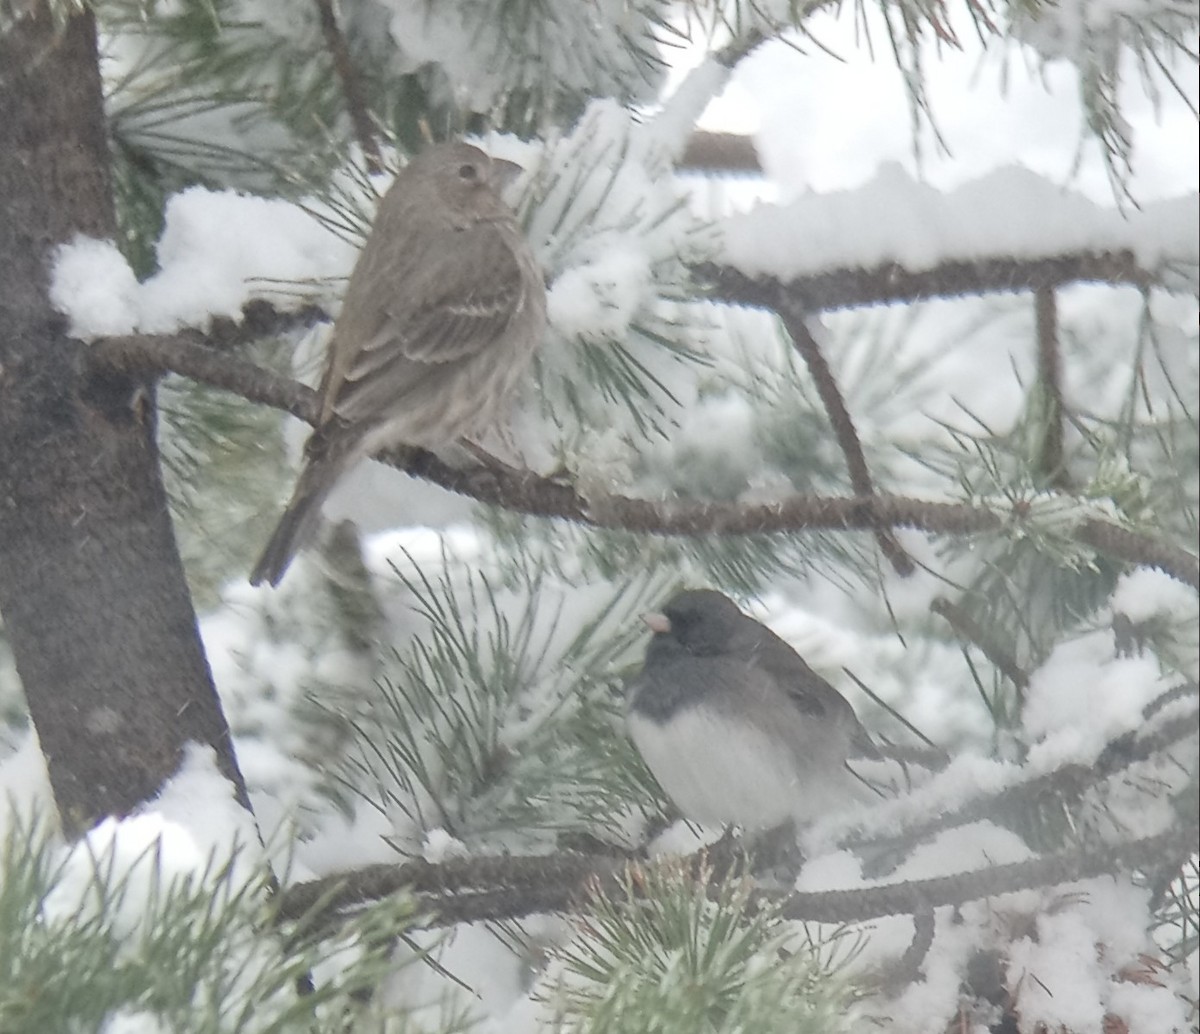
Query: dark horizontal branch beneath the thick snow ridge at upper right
891	282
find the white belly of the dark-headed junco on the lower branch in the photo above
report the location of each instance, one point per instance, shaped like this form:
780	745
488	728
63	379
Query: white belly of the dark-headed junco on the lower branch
721	772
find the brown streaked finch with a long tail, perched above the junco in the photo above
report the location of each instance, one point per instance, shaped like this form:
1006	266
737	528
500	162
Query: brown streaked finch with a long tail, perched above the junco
445	310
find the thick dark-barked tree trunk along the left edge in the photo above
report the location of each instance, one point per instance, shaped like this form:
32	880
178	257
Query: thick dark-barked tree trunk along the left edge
92	587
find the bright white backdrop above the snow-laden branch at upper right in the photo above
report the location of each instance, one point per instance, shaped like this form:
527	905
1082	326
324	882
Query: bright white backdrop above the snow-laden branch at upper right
823	124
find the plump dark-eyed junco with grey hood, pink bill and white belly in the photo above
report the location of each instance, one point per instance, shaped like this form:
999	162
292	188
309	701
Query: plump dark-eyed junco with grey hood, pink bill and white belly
735	726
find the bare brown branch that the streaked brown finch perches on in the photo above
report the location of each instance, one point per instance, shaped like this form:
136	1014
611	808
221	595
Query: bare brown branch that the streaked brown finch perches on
530	494
